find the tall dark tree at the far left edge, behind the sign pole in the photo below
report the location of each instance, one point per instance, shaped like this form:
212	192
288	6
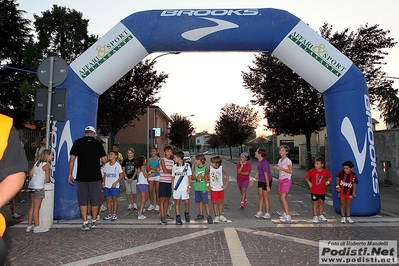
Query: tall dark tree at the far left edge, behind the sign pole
14	38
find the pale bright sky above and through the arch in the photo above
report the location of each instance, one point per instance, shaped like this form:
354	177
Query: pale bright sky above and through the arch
215	78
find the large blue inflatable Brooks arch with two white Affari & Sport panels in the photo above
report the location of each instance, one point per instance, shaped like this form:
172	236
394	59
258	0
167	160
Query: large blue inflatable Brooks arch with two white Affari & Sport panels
348	117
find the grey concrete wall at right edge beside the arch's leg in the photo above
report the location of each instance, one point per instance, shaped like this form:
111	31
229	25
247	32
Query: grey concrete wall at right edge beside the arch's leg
387	149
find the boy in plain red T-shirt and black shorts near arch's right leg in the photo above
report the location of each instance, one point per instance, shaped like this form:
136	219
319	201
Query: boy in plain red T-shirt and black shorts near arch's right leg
318	179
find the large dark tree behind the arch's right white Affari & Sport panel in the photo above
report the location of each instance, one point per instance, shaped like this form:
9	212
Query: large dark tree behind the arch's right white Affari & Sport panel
298	108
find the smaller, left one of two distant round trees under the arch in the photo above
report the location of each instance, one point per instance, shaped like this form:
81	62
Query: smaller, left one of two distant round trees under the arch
180	130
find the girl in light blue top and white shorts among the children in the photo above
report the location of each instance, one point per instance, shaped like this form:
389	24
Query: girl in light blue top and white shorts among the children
153	180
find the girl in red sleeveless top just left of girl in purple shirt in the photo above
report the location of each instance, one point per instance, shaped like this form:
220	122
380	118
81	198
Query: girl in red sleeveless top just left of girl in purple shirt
243	168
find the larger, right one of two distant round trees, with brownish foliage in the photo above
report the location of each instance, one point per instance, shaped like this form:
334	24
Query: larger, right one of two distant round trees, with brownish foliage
236	124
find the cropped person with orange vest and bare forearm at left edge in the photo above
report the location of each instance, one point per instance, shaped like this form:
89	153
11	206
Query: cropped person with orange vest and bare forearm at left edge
13	164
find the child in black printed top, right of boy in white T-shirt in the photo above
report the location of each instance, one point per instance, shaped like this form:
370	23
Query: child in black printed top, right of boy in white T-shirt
130	178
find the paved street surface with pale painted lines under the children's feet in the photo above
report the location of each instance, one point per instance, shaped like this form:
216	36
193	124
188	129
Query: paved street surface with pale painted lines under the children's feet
242	240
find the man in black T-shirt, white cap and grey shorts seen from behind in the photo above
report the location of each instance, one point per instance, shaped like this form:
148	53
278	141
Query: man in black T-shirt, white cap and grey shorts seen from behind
88	177
